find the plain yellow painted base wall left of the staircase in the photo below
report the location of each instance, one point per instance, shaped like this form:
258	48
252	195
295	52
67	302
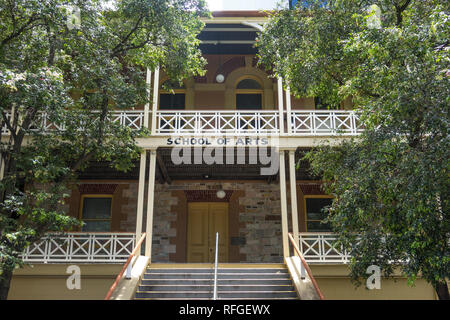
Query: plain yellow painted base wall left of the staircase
48	282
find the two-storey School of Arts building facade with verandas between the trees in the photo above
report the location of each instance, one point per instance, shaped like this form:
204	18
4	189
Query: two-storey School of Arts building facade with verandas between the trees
224	156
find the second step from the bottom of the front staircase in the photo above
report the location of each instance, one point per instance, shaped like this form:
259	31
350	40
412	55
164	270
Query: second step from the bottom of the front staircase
224	288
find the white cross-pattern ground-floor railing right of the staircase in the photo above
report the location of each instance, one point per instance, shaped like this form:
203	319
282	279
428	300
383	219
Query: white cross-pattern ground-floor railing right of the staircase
318	247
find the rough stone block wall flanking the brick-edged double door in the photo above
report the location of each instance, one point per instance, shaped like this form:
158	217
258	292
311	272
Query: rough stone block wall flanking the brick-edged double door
257	231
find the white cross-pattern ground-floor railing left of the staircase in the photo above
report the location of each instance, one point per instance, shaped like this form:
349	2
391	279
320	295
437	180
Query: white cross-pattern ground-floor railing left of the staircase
82	247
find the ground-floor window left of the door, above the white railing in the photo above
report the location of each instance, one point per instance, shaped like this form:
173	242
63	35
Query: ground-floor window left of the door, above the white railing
96	212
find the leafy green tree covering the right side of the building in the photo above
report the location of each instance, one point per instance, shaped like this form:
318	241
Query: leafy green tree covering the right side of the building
390	185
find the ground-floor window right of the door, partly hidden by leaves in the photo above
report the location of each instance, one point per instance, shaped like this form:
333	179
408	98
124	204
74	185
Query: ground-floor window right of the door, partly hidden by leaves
314	208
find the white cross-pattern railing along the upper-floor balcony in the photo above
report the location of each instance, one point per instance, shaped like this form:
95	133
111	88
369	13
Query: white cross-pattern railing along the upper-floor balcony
314	123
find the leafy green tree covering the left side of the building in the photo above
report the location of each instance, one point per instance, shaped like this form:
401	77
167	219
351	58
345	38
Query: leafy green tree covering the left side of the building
75	75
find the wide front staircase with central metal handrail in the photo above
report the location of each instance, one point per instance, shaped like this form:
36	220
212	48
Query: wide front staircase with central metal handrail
235	281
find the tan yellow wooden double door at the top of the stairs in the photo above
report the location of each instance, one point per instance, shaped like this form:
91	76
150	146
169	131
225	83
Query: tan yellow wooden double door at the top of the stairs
204	220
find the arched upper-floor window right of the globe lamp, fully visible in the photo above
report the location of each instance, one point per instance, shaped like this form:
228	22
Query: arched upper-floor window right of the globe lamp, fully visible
249	94
